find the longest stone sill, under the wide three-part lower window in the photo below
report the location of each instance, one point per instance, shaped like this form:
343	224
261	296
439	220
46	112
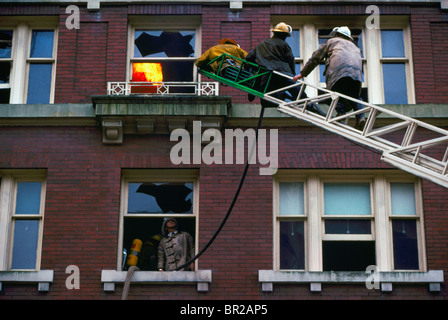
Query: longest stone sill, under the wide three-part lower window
268	278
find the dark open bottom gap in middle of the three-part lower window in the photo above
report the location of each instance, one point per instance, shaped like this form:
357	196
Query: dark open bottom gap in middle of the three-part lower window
348	255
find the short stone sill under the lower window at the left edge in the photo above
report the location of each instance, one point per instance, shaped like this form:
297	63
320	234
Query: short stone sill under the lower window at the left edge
42	277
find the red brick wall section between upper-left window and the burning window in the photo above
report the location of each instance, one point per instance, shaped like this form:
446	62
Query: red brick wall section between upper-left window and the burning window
92	55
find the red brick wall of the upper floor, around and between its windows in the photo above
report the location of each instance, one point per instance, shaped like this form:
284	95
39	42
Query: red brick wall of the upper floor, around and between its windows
97	51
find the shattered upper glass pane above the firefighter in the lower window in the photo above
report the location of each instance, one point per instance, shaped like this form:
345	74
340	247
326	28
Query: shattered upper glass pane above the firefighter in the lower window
160	198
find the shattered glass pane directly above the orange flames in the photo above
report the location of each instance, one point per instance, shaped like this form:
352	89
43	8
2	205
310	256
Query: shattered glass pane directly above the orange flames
156	44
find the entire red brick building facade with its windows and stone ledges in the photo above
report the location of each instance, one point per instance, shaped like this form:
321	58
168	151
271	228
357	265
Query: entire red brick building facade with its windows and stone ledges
81	152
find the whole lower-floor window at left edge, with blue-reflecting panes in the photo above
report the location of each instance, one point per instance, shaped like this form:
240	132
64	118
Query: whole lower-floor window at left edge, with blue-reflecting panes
22	220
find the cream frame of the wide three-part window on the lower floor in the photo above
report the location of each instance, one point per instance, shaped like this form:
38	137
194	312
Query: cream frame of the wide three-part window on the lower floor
381	216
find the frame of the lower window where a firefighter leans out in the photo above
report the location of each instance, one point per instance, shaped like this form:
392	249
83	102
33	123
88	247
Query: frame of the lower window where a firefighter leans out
156	175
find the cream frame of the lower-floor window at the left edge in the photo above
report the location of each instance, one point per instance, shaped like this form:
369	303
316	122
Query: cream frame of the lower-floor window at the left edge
8	197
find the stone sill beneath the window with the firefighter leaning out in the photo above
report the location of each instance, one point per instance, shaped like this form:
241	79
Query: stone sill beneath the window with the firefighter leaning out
201	277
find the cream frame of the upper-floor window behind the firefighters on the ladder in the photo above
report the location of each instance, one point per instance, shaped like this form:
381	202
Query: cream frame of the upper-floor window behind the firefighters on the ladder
372	59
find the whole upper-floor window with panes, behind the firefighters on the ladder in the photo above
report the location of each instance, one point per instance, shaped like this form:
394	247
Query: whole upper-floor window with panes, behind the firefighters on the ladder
386	54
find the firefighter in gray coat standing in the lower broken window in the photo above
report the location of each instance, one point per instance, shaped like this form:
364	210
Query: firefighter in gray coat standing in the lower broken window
176	247
